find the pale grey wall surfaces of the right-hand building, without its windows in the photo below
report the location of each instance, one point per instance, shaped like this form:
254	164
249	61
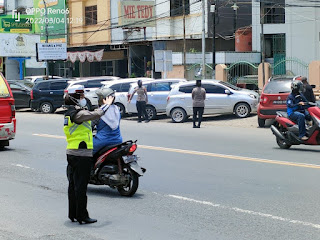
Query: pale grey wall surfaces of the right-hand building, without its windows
301	28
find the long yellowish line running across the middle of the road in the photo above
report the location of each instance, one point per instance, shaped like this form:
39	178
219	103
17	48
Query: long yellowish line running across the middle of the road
217	155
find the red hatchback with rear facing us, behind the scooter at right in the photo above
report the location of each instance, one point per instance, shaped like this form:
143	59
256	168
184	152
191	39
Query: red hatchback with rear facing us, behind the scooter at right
273	98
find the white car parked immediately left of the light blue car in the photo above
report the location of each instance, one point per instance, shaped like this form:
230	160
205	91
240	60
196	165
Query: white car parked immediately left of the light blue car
122	87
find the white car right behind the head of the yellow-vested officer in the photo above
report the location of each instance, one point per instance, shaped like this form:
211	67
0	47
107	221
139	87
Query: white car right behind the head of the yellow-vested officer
91	84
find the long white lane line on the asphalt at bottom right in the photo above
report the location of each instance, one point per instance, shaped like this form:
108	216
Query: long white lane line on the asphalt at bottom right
245	211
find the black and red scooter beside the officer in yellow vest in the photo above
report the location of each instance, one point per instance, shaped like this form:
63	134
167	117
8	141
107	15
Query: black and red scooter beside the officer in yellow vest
117	167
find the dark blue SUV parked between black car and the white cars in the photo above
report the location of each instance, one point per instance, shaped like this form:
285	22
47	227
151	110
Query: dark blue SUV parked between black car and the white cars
47	96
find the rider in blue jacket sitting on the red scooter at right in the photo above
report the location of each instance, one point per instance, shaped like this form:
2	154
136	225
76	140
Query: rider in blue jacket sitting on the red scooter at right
296	108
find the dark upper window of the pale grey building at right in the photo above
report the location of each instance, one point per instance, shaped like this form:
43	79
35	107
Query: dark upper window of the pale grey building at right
274	12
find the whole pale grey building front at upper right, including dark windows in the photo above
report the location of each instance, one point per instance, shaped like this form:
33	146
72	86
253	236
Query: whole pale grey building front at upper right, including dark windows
290	30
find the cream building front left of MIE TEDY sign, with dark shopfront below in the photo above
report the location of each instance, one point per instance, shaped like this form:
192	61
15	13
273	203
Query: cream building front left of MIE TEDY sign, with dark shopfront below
89	42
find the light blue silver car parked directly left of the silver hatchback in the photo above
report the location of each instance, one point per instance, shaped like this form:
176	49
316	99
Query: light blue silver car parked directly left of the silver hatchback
158	91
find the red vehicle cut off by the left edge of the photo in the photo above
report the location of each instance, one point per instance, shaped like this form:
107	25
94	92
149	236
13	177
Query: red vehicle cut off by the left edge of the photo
7	113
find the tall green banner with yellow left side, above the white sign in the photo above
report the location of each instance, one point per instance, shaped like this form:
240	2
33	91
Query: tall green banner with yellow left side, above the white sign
52	17
